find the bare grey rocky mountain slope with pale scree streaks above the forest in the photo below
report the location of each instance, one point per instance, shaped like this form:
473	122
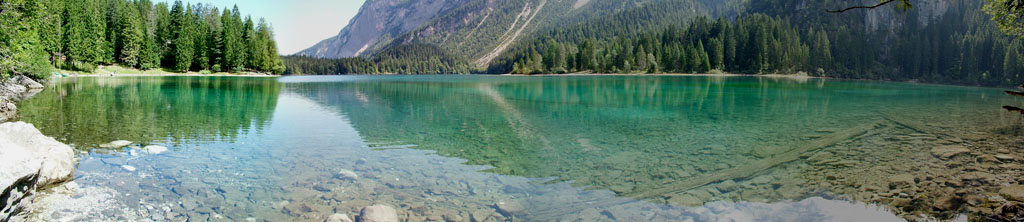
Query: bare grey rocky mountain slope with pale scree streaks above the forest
478	30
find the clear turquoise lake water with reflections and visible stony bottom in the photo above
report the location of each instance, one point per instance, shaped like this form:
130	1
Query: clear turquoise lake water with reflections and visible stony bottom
591	149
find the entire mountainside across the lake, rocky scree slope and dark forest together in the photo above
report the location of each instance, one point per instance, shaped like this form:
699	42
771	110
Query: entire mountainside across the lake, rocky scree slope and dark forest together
938	41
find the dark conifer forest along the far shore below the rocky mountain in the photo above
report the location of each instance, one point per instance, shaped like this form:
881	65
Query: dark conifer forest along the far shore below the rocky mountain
963	47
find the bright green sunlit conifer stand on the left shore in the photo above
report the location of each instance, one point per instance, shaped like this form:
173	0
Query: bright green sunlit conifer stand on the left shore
78	35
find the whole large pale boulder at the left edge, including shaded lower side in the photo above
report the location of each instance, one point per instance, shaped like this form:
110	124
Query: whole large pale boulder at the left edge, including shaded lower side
29	160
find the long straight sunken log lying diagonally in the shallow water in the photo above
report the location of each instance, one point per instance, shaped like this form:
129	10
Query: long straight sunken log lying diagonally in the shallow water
741	172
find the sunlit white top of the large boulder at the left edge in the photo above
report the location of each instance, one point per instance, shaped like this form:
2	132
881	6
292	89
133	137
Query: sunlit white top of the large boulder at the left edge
58	159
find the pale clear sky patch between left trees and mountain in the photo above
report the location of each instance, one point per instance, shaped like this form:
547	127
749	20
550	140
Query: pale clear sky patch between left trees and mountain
297	24
